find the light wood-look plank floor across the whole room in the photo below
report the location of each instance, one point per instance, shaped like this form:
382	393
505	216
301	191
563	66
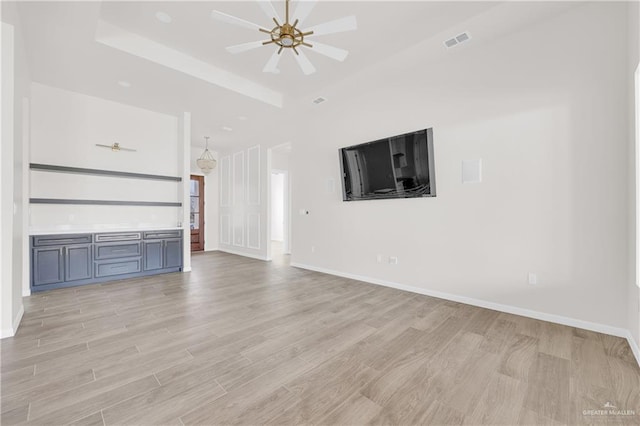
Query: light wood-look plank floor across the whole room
240	341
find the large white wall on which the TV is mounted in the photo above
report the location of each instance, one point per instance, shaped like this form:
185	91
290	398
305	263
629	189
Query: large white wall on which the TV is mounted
547	113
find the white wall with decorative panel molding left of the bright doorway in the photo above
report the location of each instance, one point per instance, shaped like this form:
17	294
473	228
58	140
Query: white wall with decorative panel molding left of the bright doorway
243	202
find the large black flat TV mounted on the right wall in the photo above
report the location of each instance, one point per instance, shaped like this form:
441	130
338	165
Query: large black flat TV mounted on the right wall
396	167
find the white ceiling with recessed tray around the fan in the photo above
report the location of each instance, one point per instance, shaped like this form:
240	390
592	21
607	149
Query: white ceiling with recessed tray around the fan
62	51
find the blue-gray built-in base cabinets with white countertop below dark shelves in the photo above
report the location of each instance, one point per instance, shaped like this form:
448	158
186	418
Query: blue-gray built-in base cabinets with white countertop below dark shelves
78	259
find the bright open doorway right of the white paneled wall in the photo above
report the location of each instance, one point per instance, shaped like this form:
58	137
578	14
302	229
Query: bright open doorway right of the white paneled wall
280	204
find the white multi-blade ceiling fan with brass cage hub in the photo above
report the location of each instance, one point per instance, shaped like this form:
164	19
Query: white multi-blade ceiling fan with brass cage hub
288	35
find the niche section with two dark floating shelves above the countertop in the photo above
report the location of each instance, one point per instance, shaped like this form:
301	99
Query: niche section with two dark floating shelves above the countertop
71	197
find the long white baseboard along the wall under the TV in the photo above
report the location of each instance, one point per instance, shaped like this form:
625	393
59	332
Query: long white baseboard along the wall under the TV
558	319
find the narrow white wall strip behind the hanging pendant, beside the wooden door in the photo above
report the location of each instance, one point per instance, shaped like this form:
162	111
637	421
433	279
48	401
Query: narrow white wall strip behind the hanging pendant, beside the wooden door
211	197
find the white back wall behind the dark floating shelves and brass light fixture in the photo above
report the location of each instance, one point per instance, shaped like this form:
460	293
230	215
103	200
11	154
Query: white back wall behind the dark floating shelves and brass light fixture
65	128
